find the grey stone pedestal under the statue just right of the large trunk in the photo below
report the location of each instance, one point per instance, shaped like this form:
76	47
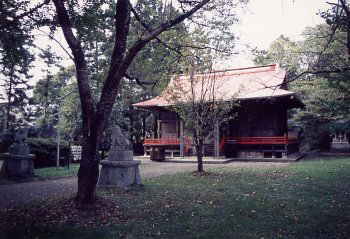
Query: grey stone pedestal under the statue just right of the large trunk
120	174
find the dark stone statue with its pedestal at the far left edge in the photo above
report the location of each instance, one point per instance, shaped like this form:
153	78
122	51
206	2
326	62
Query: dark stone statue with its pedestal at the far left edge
18	161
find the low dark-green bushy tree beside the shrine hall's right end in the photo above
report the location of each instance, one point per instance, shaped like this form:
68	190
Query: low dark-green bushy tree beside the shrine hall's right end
324	107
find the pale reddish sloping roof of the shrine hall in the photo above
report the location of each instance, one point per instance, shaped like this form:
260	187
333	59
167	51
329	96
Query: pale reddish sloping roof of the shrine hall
242	83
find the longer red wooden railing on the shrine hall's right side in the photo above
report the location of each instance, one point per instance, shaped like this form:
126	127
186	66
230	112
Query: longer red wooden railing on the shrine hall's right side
276	140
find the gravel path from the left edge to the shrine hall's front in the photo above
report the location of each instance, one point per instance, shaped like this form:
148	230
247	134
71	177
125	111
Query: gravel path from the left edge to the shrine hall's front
25	193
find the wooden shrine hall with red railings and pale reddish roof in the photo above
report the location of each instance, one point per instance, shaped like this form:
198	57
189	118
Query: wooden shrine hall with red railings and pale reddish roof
260	129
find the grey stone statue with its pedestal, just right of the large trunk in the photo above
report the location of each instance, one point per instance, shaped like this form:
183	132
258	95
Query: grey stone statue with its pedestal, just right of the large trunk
119	169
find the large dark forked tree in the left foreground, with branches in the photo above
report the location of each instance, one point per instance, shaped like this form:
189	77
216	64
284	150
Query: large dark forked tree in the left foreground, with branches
216	15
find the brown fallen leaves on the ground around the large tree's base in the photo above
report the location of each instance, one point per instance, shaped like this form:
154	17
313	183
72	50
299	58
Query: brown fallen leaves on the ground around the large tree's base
63	212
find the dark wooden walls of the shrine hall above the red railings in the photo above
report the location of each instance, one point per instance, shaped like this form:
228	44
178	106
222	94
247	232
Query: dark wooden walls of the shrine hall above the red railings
256	118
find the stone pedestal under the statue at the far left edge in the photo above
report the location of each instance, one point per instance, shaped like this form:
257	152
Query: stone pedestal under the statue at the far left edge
17	166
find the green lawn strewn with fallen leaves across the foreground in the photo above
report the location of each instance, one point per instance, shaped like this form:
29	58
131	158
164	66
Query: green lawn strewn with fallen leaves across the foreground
308	199
